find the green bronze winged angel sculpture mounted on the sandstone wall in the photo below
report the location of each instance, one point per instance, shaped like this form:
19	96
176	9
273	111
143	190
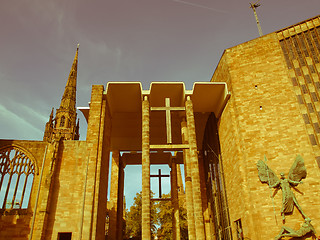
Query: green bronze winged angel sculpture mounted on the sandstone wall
296	174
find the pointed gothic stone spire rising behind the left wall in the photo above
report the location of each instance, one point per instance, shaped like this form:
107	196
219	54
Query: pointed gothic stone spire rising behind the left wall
66	115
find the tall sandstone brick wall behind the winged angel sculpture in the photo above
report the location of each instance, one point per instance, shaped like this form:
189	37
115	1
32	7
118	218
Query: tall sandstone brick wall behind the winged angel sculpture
261	118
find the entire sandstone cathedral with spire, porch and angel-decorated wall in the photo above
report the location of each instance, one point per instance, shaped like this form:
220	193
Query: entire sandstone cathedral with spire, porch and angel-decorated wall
248	139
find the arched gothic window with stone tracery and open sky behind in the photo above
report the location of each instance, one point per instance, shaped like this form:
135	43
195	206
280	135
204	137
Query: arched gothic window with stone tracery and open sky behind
16	178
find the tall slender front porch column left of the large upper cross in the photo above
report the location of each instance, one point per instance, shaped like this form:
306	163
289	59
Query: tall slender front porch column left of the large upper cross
146	205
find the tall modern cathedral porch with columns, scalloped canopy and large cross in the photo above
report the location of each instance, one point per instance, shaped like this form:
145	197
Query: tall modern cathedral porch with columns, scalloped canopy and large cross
146	126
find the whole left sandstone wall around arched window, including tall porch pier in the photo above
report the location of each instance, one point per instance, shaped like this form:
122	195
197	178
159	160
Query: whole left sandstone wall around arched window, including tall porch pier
72	196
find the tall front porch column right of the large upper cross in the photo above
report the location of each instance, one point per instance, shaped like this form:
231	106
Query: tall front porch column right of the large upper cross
197	201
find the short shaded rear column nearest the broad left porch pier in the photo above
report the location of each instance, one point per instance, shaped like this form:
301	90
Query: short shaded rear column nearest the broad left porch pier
114	196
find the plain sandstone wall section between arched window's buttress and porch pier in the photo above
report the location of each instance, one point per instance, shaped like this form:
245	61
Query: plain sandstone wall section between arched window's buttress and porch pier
67	199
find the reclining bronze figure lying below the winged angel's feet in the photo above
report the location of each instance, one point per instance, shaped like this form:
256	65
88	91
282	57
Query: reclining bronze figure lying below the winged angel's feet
305	228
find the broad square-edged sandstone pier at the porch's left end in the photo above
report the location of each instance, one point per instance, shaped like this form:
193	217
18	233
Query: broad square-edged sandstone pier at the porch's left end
98	145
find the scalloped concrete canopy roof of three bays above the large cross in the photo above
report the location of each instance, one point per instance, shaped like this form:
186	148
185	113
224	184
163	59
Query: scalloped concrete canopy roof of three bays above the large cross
125	102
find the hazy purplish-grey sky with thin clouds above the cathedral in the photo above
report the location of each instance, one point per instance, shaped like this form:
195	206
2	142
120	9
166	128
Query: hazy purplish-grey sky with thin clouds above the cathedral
120	40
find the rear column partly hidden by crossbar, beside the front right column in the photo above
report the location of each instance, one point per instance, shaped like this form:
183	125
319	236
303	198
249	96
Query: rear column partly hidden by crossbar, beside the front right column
188	182
